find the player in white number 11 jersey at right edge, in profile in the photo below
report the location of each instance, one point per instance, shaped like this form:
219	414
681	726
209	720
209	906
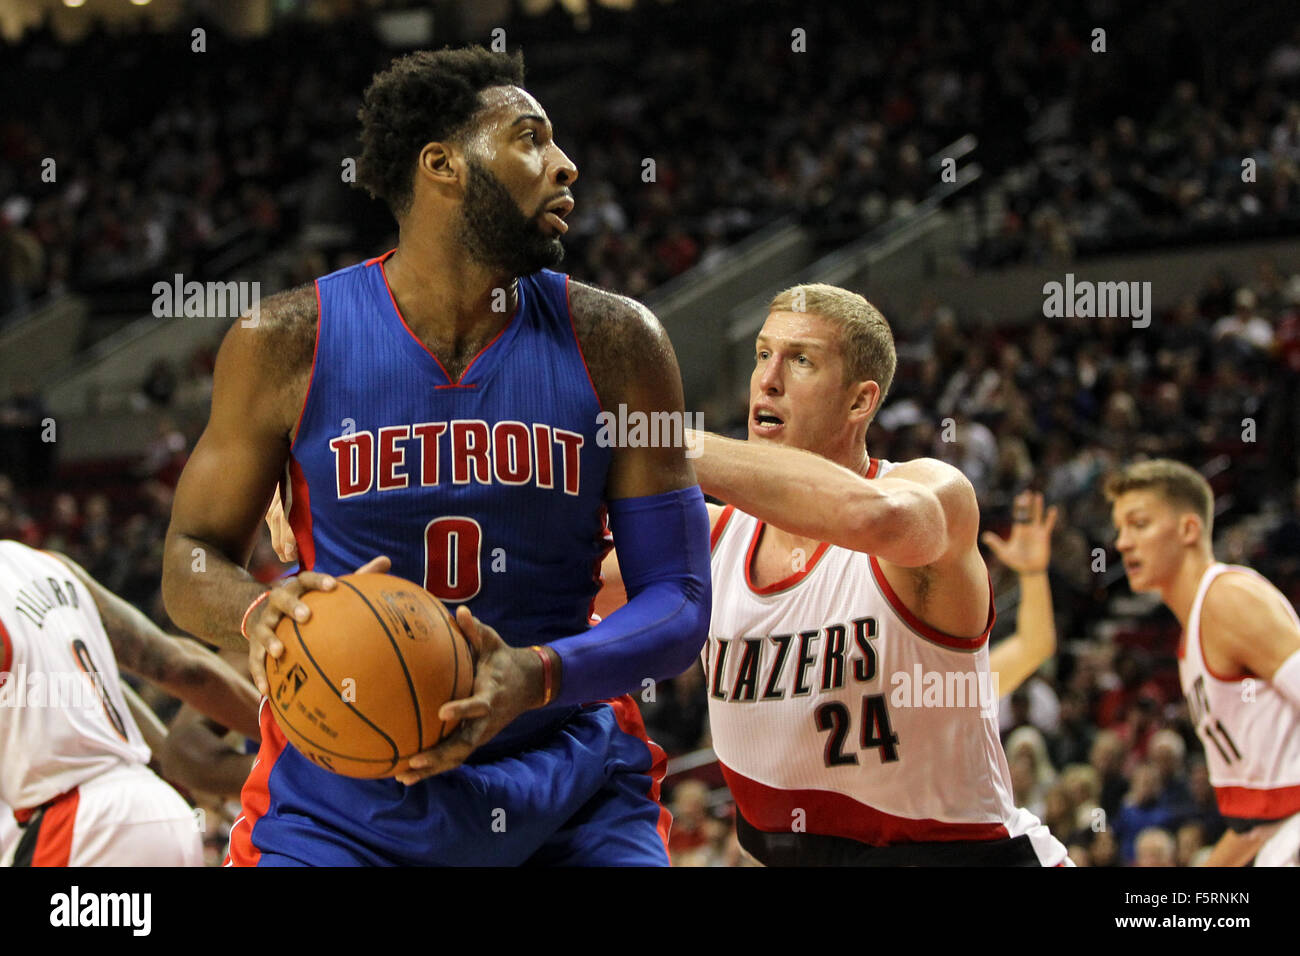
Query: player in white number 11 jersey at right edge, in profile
1238	661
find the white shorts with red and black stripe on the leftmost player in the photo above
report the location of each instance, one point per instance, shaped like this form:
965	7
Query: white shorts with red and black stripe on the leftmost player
123	817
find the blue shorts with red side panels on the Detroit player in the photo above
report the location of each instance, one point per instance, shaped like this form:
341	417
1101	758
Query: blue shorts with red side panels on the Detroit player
588	795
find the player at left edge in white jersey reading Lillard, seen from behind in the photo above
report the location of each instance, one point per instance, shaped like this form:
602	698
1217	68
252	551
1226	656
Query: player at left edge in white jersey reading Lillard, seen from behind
72	758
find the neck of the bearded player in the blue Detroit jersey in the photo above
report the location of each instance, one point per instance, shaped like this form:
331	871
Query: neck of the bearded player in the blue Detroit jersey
443	291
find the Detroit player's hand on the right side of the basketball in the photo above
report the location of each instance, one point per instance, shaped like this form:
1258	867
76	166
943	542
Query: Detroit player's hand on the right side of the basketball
508	682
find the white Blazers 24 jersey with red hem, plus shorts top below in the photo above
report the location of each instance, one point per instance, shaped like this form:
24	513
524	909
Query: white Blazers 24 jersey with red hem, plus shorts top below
843	724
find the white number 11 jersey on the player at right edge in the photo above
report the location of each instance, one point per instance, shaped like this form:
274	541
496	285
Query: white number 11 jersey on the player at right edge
1250	732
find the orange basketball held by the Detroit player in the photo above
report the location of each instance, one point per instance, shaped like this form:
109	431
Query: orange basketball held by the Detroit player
359	686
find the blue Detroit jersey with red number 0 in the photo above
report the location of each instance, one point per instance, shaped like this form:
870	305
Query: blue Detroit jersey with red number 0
487	491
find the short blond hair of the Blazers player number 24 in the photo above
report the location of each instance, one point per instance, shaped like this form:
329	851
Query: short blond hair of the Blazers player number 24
866	341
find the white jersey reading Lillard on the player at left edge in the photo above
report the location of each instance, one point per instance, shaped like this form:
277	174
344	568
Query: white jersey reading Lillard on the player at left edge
63	719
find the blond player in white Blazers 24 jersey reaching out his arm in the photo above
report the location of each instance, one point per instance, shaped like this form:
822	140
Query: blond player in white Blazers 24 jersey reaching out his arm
850	689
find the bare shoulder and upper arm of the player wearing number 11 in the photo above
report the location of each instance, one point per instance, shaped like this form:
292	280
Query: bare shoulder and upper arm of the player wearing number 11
1245	629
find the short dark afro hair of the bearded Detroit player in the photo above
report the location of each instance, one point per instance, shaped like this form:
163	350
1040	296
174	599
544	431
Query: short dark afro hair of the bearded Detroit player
423	98
